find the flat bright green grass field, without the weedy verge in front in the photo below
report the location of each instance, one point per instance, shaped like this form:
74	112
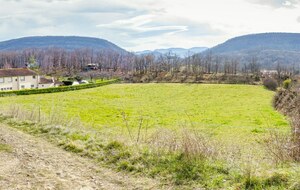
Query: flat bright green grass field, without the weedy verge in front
223	110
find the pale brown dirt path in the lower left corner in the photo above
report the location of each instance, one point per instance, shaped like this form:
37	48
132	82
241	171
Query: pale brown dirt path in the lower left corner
34	163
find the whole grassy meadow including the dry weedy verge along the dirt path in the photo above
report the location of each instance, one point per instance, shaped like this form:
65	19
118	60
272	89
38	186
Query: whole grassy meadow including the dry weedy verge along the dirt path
188	136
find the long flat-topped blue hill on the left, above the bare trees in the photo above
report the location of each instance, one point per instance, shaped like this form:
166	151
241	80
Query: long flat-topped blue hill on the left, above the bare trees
63	42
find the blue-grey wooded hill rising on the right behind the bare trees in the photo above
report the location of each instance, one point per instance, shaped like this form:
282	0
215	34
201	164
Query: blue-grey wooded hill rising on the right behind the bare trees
268	49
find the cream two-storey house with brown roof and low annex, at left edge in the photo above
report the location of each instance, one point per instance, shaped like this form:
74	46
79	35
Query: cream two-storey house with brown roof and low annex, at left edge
22	78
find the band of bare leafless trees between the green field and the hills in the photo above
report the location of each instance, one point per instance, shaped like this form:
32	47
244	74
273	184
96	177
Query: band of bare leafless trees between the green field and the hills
60	62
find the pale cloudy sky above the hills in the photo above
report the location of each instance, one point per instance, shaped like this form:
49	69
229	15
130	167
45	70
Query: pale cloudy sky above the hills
137	25
